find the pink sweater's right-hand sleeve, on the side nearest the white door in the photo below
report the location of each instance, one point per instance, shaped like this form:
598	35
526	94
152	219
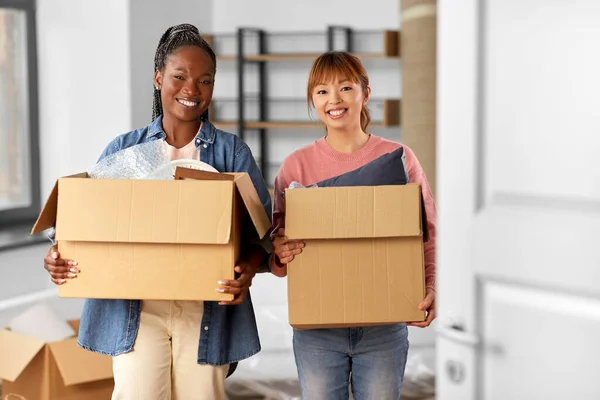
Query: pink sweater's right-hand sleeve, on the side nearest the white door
417	175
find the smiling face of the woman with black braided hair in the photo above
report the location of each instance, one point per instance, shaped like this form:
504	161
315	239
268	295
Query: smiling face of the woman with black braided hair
186	83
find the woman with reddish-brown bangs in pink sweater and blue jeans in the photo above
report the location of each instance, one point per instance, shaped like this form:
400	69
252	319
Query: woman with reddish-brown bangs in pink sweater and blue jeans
372	359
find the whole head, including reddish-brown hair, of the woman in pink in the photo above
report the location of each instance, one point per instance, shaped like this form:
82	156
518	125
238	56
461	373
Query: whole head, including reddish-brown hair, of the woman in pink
338	89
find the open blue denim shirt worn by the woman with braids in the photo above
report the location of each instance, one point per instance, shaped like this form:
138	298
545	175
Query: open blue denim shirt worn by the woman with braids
228	333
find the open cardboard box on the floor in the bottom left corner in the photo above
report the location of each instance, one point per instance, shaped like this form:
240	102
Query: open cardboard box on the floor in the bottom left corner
32	369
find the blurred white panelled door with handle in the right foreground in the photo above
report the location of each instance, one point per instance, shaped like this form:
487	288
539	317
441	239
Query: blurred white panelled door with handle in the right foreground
519	199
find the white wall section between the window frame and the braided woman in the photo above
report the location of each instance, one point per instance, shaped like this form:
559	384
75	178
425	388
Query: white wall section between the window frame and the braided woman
84	82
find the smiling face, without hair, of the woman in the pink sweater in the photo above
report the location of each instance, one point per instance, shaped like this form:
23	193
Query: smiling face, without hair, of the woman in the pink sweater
339	103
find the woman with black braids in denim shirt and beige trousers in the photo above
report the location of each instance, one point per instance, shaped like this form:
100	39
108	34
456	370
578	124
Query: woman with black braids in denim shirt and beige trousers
178	349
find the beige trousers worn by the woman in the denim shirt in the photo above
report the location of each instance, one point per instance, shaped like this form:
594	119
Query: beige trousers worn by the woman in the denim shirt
163	363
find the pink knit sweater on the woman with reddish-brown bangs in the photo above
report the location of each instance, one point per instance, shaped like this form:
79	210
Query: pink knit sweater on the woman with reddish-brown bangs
319	161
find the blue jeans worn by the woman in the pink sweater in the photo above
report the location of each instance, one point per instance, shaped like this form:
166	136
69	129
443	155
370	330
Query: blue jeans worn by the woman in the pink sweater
371	359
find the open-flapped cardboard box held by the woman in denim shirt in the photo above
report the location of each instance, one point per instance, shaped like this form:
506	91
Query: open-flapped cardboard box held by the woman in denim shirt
153	239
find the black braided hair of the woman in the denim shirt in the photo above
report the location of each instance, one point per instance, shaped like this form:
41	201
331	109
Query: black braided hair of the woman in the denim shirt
174	38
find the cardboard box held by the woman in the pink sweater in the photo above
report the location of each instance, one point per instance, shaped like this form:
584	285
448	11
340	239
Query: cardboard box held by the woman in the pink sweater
363	263
